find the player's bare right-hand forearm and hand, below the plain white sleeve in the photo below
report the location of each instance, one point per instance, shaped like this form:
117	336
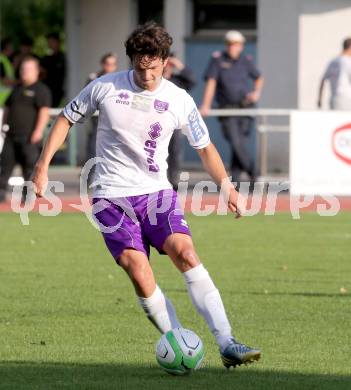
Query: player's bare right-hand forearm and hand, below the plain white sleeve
213	164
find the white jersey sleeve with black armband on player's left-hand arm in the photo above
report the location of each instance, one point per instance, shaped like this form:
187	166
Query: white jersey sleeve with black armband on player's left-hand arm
83	105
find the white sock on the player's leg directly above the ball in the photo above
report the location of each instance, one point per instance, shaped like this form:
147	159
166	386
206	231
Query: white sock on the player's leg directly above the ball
160	311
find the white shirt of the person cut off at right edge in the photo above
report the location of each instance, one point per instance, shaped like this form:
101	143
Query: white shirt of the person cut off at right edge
338	73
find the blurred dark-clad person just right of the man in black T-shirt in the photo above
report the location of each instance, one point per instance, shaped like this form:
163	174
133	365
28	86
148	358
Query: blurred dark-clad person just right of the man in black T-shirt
54	69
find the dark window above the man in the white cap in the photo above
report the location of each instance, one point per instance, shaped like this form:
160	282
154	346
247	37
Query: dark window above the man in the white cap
224	15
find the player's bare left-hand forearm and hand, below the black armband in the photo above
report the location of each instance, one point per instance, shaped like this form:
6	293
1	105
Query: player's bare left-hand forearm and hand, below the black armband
55	139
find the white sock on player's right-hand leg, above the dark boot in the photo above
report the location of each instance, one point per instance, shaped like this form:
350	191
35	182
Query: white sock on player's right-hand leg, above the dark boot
208	302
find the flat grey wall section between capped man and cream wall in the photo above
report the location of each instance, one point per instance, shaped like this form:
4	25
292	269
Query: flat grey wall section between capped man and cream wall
277	50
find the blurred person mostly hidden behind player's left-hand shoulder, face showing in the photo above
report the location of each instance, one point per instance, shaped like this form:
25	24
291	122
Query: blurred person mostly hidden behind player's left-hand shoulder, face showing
109	64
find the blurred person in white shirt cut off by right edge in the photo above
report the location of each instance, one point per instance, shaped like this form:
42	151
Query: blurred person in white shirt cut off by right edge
338	74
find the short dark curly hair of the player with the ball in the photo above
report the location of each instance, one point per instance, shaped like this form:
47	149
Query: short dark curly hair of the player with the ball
149	39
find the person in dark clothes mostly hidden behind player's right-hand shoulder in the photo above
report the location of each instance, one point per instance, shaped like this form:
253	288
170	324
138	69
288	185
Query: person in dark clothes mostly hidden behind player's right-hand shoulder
183	77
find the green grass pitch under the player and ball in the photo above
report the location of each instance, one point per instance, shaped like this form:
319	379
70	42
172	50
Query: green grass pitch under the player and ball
69	317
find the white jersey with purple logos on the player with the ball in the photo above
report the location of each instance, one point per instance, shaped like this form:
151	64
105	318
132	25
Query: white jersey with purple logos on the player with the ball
134	130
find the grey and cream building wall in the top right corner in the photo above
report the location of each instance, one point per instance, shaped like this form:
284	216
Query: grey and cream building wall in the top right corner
296	39
